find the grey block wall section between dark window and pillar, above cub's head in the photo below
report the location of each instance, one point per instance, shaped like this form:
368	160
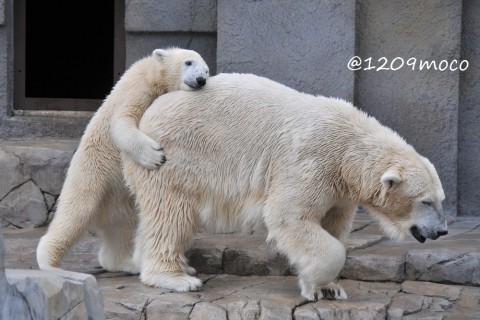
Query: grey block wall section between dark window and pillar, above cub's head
188	24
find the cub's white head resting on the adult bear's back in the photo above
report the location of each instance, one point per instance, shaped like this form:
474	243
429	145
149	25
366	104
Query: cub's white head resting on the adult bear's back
183	69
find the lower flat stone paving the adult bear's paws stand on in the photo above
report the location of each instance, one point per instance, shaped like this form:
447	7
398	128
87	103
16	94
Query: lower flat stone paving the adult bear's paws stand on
277	297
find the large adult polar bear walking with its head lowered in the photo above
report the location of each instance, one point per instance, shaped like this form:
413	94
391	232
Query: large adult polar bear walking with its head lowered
246	149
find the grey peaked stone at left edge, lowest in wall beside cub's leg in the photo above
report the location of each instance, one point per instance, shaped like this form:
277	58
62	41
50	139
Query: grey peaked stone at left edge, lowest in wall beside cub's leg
24	207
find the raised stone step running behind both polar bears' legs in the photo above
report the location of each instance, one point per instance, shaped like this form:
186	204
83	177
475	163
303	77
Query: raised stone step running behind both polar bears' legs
371	257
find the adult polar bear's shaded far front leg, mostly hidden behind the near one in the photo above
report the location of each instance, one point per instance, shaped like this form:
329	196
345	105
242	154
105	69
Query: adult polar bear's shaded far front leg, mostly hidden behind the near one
338	221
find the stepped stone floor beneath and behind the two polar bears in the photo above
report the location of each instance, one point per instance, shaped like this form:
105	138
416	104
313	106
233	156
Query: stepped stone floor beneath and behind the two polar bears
245	279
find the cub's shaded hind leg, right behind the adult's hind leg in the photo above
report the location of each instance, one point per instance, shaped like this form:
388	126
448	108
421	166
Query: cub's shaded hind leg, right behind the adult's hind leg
117	228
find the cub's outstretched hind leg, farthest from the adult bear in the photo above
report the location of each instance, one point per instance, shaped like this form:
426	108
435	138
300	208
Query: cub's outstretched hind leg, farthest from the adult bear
82	195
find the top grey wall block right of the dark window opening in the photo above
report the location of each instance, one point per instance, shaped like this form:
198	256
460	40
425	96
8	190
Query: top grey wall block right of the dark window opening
171	16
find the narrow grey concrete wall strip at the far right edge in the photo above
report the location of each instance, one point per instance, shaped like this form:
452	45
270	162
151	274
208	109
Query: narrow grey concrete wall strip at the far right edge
469	113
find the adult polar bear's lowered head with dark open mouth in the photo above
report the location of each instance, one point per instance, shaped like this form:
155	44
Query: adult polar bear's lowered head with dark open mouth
409	200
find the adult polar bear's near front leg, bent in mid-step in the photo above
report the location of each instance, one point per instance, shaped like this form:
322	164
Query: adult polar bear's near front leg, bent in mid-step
317	255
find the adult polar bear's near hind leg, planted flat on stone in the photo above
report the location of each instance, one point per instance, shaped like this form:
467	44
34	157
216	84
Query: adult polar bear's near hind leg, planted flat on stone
167	225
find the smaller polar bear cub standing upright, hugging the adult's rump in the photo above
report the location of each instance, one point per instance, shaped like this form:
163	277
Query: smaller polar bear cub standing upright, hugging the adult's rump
94	193
